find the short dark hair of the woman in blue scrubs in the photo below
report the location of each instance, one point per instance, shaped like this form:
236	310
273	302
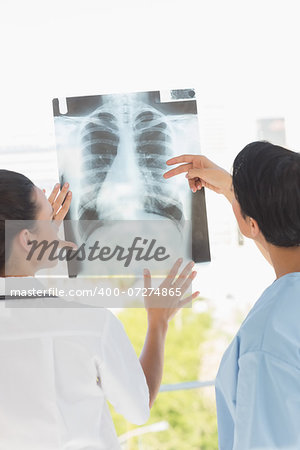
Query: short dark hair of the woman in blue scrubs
266	182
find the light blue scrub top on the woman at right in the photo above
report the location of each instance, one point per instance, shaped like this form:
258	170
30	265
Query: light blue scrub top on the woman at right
258	382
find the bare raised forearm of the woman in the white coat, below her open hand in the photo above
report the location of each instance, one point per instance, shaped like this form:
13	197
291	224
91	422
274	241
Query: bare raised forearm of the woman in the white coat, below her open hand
152	357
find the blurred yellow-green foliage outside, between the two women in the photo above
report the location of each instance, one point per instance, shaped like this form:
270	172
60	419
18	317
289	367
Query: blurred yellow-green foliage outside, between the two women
191	414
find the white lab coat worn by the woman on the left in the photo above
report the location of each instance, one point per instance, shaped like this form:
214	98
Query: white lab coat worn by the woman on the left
50	361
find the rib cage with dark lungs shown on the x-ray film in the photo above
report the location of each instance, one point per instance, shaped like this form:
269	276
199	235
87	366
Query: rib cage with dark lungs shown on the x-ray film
152	139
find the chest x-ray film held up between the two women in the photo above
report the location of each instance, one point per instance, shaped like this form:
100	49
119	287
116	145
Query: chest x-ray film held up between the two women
113	149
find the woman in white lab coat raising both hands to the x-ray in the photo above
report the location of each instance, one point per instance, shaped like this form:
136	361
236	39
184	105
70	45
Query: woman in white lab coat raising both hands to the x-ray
59	365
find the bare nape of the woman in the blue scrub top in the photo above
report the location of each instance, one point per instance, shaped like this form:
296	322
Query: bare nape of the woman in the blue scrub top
284	259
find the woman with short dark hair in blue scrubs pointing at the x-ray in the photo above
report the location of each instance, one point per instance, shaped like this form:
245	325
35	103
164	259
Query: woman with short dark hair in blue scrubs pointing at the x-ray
258	382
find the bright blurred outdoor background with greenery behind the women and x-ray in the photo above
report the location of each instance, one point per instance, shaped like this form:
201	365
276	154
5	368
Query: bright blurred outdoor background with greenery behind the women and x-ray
241	57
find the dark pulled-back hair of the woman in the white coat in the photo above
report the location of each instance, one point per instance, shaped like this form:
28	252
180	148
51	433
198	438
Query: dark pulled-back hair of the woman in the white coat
16	203
